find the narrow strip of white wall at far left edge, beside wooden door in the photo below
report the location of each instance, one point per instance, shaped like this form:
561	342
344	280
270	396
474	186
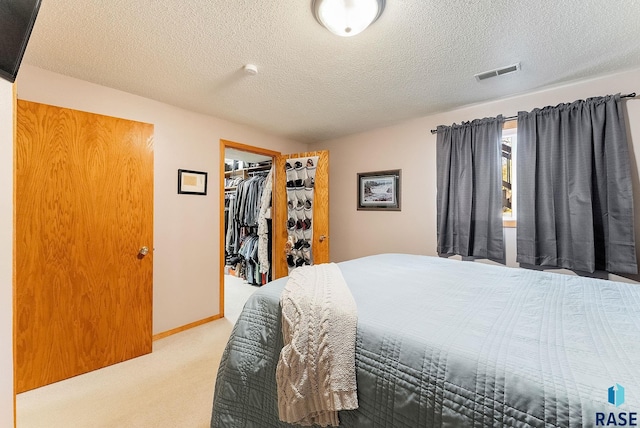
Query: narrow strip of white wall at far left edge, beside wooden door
6	254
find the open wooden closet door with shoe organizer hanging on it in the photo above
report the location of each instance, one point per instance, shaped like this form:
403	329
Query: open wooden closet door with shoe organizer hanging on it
320	224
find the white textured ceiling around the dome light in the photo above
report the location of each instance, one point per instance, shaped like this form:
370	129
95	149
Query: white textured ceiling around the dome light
417	59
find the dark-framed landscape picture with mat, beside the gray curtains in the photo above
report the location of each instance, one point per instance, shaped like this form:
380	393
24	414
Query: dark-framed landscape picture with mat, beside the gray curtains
379	190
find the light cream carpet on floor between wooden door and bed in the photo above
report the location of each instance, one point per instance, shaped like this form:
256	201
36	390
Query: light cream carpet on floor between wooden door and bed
172	387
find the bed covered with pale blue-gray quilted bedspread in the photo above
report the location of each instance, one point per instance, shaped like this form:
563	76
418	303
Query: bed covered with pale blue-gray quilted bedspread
446	343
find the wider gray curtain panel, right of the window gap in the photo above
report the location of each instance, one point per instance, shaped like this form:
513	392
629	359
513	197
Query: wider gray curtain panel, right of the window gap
575	199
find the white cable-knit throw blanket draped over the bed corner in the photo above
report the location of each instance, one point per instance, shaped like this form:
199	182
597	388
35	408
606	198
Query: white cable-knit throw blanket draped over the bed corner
316	372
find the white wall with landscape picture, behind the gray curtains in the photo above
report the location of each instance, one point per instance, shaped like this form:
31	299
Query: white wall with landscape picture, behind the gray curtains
411	147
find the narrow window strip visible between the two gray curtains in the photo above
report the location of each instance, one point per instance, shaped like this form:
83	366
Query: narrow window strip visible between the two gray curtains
509	137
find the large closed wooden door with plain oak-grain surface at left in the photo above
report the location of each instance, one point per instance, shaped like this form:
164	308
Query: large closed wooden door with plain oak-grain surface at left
83	210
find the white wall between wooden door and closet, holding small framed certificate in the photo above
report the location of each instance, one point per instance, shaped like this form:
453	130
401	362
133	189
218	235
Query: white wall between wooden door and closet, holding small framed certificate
186	228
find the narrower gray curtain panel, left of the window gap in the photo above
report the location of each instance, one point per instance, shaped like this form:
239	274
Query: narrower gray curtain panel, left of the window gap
469	200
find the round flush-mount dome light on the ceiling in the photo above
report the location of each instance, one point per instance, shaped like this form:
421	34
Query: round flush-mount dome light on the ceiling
347	18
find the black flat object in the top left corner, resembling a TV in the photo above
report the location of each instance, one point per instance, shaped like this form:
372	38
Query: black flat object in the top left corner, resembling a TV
16	22
